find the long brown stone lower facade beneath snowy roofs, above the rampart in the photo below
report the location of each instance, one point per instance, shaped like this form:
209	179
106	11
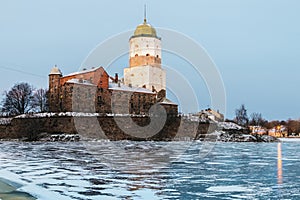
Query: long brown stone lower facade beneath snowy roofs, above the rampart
89	98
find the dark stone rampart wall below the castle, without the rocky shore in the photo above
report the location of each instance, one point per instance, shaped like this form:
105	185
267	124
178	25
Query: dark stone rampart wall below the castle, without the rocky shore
88	127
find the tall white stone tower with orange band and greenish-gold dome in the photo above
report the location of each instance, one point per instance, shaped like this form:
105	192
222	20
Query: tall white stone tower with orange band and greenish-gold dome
145	60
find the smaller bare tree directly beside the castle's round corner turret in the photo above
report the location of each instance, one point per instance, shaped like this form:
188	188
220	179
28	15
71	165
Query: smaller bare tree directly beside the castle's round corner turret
40	100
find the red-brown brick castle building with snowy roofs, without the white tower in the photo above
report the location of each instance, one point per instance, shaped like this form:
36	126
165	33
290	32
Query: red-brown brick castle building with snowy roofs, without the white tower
95	91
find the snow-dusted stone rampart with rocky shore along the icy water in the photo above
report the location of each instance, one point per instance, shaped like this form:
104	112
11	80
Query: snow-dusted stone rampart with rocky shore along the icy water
72	127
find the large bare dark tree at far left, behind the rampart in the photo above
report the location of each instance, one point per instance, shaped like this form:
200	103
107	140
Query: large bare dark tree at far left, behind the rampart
18	99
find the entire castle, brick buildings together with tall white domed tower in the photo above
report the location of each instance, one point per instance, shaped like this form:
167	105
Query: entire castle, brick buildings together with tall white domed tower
94	90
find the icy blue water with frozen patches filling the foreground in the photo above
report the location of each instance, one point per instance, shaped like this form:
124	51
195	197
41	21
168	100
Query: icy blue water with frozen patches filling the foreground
150	170
